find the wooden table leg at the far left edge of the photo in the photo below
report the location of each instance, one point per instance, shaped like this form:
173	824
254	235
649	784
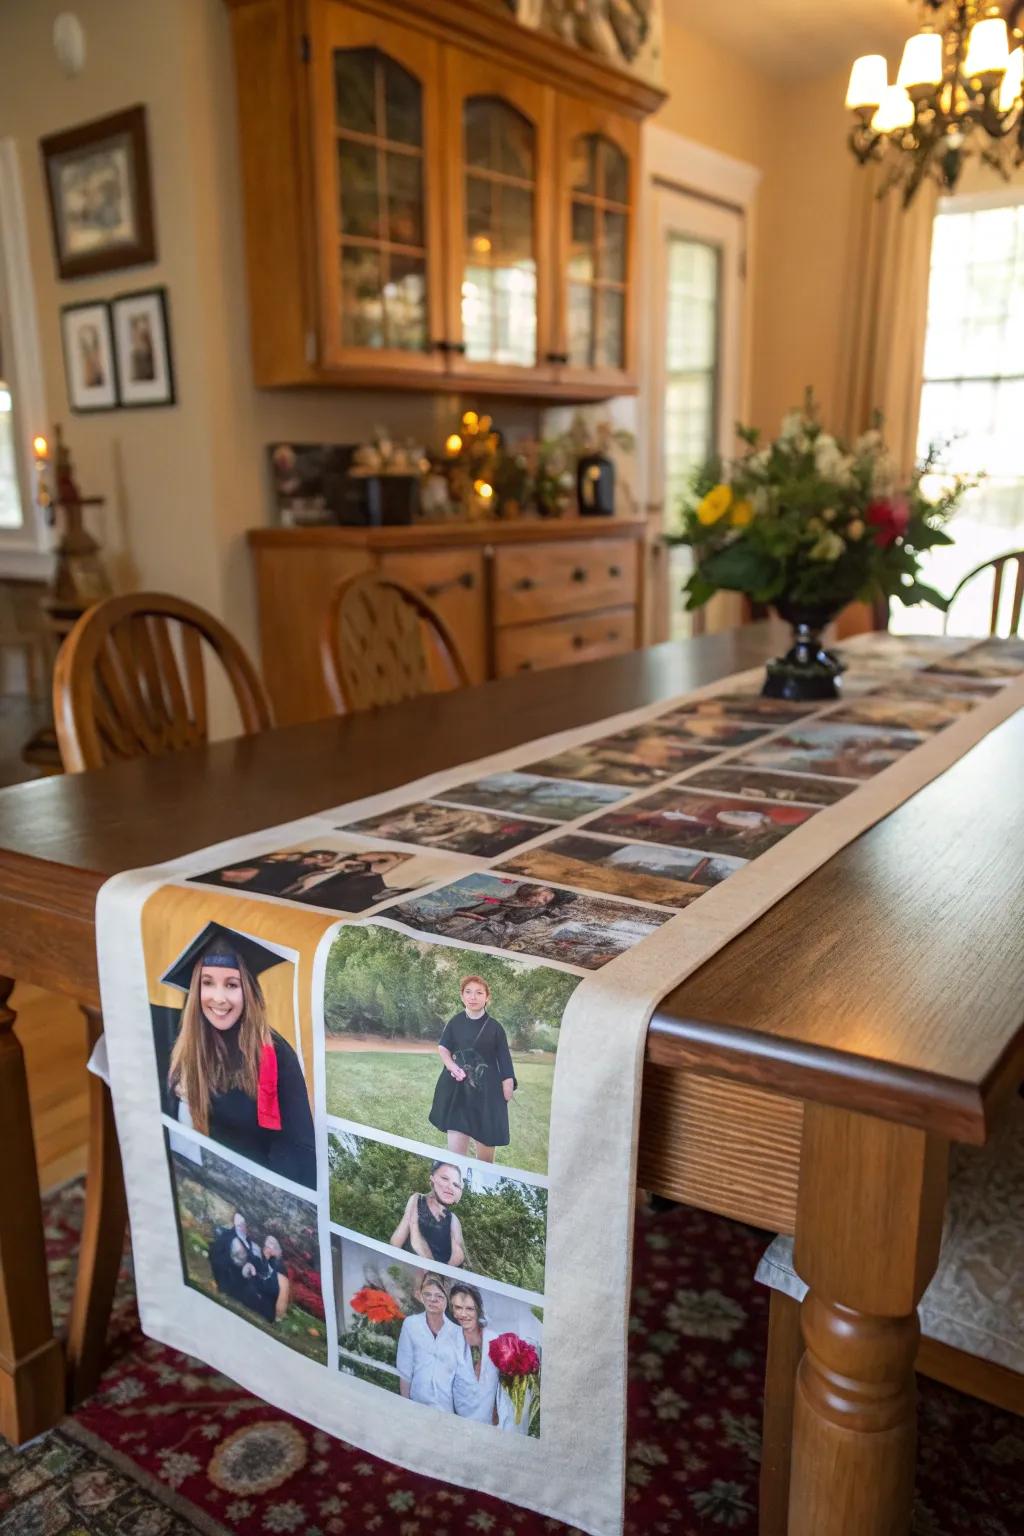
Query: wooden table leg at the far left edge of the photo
31	1359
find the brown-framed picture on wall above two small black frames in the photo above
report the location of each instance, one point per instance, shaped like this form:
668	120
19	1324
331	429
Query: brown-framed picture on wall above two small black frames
97	179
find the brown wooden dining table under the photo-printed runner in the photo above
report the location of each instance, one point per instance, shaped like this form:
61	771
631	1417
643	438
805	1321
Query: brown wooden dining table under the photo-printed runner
810	1079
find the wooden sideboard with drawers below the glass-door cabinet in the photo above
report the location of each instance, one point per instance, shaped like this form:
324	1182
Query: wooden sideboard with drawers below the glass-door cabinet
517	597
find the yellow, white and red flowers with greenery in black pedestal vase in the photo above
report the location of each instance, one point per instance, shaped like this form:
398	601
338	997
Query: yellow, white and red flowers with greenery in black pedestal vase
811	523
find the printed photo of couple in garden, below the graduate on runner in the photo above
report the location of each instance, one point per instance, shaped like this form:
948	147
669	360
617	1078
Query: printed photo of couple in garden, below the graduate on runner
249	1246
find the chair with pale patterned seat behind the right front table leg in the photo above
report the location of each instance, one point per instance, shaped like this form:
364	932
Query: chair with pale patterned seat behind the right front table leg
973	1313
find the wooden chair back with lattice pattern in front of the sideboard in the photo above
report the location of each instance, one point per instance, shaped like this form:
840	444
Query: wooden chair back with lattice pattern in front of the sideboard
383	643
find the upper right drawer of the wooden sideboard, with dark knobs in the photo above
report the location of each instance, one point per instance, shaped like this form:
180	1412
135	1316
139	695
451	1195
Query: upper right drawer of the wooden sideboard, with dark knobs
546	581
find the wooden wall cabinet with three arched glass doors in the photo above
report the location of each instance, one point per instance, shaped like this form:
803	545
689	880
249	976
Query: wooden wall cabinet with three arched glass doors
437	199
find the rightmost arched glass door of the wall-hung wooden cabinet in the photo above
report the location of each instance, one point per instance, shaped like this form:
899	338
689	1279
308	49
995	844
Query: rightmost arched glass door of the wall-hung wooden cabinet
595	273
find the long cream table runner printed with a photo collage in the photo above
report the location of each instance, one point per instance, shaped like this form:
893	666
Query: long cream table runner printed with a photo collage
377	1073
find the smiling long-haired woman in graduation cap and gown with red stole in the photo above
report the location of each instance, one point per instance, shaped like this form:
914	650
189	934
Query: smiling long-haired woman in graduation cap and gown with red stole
233	1076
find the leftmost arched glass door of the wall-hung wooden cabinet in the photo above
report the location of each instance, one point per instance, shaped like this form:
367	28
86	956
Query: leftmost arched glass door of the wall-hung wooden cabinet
380	273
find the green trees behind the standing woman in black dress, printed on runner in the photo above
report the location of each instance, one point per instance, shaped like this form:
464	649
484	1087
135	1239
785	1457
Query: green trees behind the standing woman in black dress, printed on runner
382	982
